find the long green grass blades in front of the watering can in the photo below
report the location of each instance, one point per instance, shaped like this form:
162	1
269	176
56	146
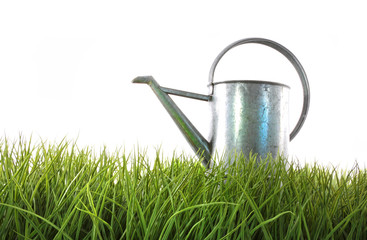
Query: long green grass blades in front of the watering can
62	192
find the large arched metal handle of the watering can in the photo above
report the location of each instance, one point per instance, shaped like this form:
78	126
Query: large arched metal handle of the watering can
289	55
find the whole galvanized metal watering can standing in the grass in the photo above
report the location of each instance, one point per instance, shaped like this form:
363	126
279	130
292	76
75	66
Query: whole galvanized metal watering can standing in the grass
247	116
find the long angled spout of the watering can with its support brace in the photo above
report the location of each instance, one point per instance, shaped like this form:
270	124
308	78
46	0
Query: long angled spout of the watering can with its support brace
198	143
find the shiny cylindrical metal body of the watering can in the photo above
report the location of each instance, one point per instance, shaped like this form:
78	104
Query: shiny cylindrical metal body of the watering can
249	116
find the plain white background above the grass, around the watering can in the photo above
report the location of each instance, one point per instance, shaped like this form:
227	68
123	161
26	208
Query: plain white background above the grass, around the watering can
66	69
